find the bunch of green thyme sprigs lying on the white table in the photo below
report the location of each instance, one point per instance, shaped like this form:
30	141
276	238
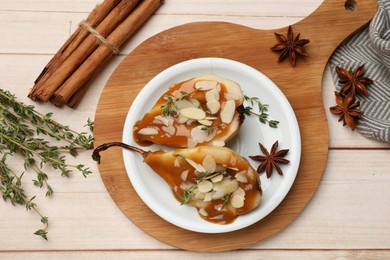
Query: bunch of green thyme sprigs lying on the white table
21	129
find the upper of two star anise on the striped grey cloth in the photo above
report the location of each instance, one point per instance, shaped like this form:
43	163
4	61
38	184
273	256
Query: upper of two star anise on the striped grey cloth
353	81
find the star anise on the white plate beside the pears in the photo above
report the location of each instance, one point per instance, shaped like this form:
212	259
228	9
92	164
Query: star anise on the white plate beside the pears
270	160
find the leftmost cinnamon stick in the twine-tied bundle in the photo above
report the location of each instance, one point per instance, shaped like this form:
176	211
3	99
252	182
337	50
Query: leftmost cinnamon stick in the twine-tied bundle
95	17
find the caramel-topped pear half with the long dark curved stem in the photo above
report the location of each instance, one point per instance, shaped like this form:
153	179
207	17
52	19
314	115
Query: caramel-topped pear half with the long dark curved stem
217	181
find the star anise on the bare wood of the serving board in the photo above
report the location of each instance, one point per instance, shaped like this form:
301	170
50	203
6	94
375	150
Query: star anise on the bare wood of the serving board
290	47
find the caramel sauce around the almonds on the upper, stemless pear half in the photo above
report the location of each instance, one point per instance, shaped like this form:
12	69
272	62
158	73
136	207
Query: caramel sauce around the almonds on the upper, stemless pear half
182	130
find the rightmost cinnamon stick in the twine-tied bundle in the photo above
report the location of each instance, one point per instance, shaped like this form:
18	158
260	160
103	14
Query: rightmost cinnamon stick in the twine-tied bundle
116	38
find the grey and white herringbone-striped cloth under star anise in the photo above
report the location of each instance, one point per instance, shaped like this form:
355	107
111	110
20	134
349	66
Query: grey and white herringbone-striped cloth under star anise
370	46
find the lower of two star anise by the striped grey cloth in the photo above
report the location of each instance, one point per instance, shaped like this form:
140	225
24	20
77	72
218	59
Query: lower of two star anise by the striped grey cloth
346	108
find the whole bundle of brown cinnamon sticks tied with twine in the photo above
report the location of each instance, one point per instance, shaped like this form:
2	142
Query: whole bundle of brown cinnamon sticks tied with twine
65	78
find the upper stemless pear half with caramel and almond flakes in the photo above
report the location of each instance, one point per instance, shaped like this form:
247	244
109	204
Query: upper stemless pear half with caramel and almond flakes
205	110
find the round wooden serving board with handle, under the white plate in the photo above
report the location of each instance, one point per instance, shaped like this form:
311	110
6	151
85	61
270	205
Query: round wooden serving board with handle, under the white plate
326	28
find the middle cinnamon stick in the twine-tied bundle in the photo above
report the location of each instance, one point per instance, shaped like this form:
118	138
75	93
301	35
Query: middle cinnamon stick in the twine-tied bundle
110	22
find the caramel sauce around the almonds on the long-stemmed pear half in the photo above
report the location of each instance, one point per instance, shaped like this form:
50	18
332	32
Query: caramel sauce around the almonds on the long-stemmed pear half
219	211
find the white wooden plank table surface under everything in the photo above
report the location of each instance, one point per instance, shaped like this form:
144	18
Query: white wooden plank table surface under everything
348	217
